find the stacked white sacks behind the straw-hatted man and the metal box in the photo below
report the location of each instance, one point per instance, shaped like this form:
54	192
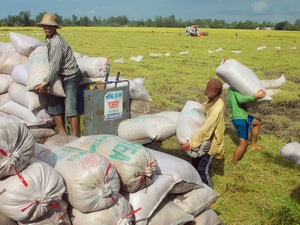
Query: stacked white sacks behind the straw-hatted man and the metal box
24	64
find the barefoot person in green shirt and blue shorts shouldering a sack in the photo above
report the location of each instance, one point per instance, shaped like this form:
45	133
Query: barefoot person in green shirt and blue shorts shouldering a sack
244	122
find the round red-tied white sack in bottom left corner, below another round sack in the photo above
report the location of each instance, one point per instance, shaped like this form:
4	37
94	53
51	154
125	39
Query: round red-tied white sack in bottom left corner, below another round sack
31	197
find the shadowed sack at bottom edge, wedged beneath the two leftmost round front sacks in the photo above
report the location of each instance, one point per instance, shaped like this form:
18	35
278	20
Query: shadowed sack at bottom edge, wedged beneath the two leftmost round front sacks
55	216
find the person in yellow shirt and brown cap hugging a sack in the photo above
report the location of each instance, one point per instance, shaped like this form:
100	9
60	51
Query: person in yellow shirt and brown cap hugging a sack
211	132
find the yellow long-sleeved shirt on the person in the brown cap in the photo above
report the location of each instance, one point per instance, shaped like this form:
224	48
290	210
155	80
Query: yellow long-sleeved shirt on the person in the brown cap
212	129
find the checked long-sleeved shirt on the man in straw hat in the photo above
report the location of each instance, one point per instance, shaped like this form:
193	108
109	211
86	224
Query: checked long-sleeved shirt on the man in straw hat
61	59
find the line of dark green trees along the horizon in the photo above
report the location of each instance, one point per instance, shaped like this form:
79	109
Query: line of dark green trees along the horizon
24	19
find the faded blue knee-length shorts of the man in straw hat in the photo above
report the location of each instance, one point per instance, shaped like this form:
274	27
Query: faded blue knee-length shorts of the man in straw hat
66	105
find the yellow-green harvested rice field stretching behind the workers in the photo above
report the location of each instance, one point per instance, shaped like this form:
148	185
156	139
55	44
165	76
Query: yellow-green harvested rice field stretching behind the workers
263	188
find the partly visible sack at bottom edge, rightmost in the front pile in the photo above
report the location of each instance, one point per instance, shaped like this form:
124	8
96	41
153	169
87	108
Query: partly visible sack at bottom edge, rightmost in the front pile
208	217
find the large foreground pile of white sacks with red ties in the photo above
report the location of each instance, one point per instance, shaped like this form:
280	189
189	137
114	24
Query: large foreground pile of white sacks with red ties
97	179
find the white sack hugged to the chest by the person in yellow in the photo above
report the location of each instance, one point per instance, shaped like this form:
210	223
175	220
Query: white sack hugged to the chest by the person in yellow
191	119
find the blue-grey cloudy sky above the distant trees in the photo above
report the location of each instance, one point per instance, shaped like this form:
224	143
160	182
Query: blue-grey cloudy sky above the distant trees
229	10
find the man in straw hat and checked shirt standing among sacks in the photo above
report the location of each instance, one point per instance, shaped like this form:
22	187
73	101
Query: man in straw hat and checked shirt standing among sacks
62	63
